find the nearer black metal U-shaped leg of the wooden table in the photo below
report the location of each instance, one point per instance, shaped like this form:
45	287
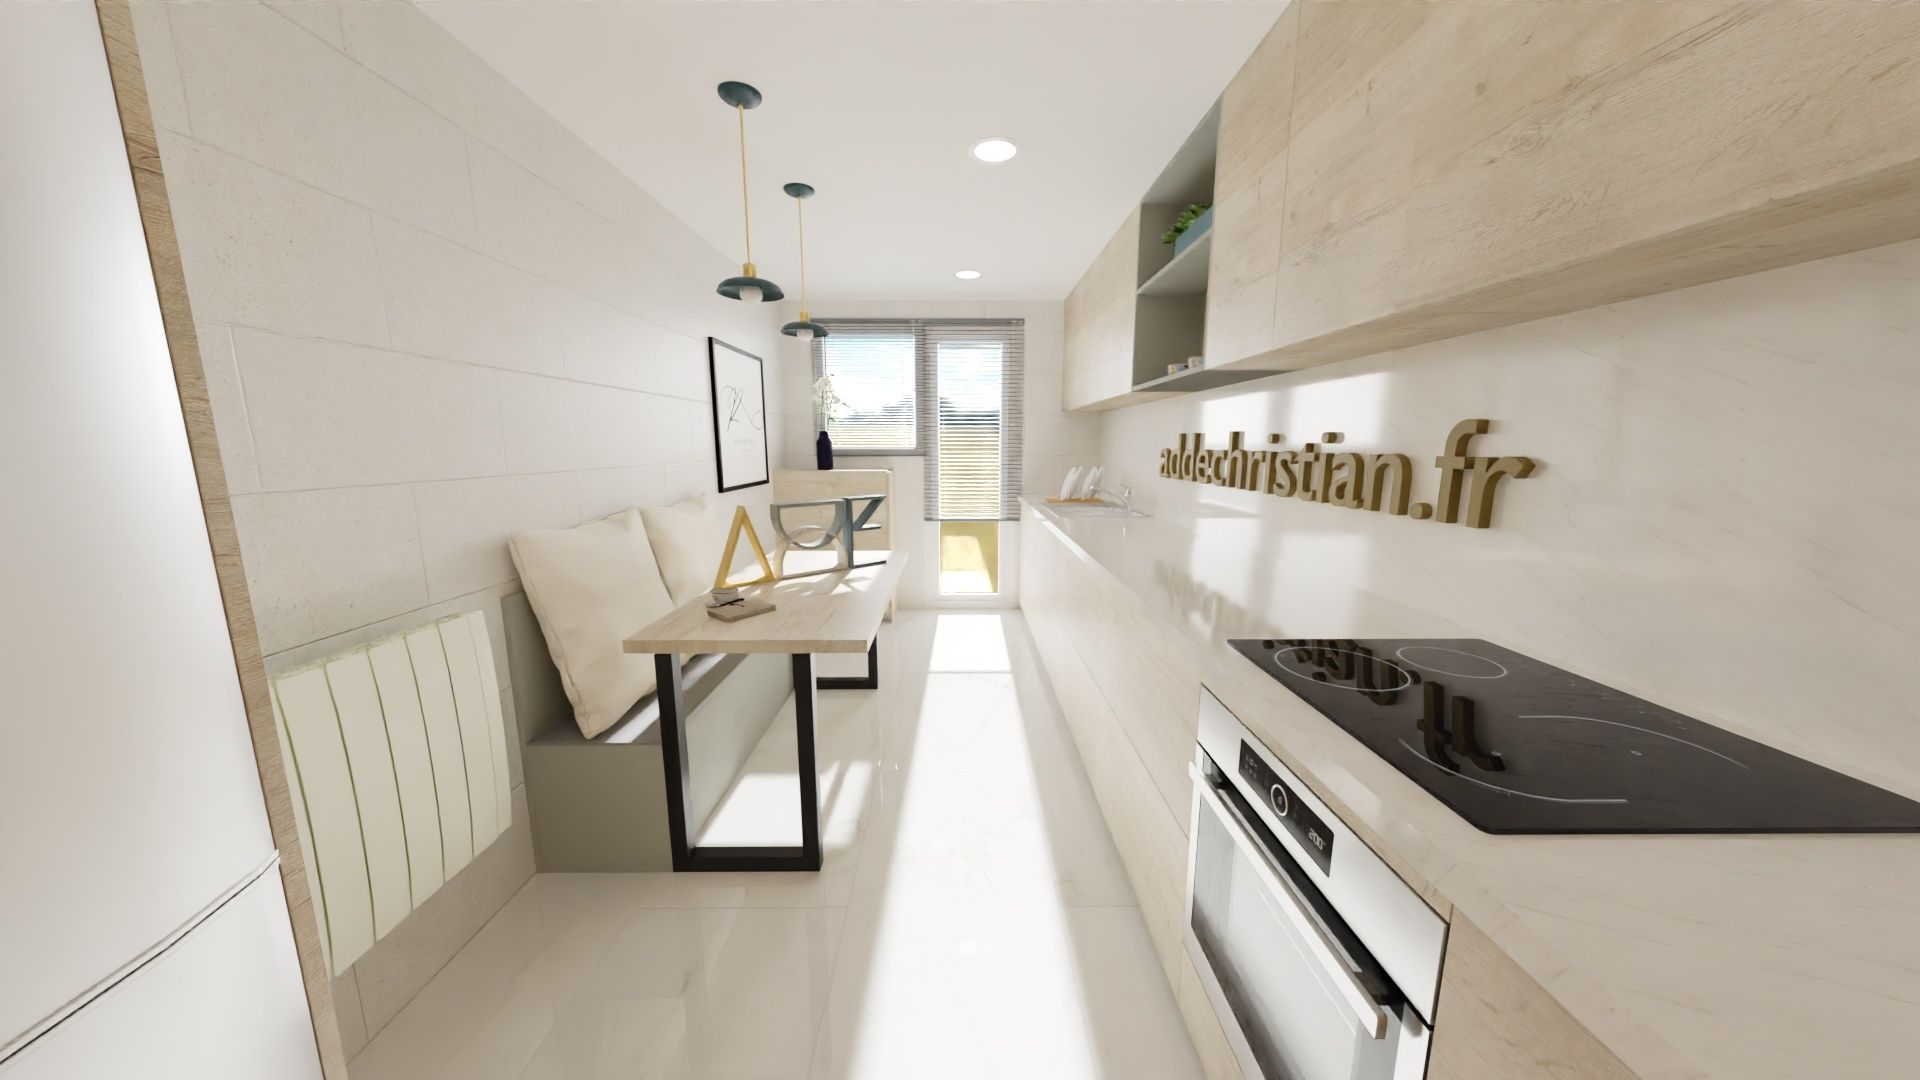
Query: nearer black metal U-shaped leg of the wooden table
675	760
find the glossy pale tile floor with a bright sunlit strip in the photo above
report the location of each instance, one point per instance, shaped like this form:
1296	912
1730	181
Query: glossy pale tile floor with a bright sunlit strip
972	920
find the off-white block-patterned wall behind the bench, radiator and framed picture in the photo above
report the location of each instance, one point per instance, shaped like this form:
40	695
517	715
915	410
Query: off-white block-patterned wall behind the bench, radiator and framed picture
431	316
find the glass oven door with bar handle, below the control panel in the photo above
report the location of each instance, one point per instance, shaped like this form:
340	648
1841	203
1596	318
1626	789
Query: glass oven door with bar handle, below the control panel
1301	1008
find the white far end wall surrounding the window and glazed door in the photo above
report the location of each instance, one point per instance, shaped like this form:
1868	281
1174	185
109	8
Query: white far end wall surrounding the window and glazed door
1055	439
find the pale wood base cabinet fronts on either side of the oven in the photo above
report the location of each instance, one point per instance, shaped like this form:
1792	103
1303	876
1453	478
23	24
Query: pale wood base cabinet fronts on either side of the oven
1128	687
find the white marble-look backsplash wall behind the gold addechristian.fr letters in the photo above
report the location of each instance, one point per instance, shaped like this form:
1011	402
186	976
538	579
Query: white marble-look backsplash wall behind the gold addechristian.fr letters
1725	518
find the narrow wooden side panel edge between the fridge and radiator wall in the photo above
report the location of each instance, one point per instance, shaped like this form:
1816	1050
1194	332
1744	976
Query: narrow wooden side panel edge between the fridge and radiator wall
189	374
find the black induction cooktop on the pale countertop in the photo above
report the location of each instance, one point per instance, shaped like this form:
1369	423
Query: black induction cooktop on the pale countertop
1516	745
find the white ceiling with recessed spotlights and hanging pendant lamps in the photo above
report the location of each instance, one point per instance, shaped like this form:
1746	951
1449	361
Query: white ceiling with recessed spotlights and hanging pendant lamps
876	105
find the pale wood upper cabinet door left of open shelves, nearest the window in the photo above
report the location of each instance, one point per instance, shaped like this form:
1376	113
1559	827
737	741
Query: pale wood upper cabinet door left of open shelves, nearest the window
1099	324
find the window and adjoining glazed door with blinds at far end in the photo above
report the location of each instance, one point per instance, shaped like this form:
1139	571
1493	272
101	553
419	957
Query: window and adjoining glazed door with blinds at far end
949	391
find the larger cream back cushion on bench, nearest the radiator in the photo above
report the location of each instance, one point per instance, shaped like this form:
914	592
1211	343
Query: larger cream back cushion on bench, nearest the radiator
592	587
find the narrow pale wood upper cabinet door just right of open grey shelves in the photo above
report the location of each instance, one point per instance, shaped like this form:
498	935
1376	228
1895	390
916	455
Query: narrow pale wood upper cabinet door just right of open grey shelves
1251	199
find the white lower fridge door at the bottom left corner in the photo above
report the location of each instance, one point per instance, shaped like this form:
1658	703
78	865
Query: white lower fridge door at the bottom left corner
224	1004
